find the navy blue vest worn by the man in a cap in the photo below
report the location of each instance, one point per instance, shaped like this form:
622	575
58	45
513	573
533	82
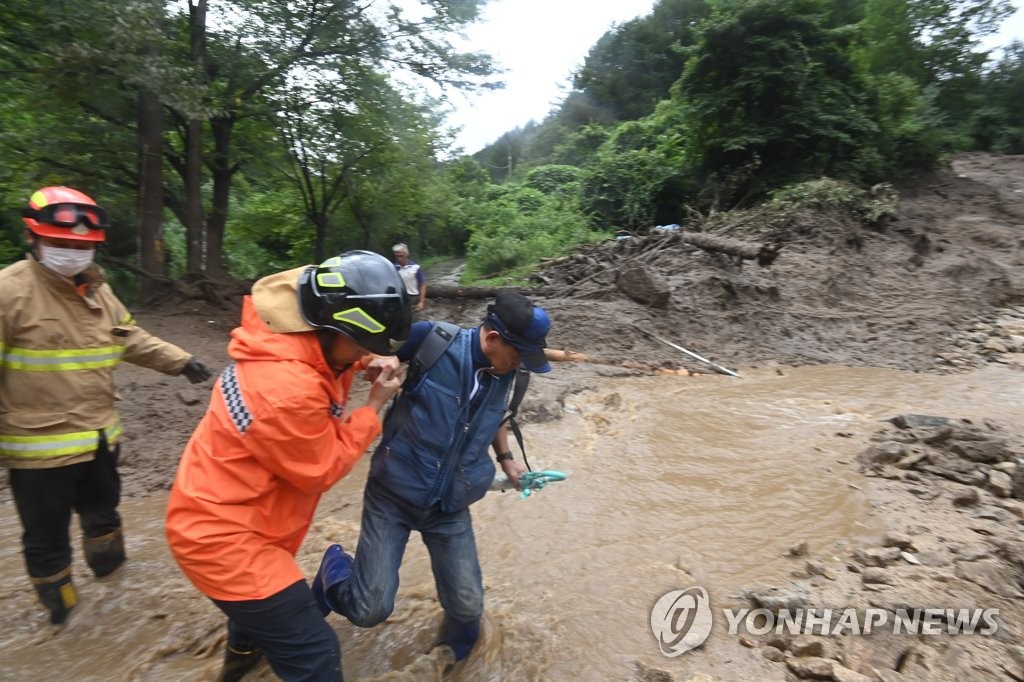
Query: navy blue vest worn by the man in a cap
434	449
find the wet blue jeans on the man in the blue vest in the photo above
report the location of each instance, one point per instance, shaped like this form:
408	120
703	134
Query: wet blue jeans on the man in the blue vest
368	599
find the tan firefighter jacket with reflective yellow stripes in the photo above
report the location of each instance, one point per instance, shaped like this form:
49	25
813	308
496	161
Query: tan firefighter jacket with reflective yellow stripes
59	350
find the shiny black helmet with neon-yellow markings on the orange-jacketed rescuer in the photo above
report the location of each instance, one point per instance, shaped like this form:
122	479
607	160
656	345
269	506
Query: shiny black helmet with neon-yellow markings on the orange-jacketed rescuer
361	295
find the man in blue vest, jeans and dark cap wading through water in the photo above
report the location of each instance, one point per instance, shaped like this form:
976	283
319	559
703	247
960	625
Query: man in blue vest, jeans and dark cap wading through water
432	464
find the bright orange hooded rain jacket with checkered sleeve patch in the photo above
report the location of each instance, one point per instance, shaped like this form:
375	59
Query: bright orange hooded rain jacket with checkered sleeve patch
273	441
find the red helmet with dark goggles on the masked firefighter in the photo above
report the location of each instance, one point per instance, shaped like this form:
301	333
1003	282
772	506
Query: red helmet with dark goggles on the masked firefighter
66	215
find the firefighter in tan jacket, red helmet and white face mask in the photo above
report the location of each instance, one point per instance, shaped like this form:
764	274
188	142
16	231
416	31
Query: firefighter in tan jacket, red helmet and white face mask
63	332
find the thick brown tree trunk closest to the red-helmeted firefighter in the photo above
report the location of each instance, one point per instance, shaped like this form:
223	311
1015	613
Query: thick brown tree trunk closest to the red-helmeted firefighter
151	191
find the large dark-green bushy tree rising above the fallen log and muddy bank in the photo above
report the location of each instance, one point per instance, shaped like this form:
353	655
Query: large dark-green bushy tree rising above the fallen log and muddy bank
788	105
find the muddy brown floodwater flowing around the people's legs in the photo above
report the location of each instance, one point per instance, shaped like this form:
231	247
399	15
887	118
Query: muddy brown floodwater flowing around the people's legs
672	483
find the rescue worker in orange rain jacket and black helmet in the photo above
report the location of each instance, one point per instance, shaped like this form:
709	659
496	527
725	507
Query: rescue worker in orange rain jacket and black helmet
275	438
